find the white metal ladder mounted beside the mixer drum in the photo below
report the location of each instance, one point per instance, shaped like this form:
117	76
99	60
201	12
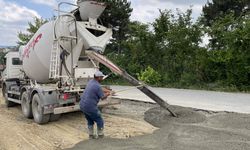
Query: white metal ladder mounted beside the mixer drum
54	60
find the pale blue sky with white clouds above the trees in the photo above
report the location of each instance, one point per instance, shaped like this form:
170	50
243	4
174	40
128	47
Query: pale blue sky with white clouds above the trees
15	14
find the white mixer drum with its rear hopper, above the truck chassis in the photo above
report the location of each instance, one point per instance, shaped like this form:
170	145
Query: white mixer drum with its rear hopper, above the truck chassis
71	35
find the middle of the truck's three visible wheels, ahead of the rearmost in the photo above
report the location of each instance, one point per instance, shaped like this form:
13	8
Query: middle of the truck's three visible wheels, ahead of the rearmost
26	105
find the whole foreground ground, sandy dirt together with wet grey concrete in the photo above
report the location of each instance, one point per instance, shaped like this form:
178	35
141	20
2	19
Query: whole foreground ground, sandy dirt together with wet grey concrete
129	126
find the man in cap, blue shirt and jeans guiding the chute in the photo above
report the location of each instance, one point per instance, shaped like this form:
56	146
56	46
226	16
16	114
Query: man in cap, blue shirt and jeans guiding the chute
88	104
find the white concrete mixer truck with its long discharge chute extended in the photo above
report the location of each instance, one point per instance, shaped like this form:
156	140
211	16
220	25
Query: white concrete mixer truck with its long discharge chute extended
48	75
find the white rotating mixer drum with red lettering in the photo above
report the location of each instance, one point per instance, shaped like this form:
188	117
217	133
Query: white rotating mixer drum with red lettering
36	54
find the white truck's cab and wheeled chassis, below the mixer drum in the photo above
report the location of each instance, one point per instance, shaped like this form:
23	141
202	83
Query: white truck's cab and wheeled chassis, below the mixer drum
38	101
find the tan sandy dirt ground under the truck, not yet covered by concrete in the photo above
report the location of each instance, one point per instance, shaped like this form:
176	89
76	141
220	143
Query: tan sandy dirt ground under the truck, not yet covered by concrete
19	133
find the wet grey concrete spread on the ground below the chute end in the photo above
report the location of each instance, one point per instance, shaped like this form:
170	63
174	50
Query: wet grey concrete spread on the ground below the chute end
192	130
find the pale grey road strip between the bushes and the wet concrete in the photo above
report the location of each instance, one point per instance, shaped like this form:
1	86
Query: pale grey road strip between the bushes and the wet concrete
207	100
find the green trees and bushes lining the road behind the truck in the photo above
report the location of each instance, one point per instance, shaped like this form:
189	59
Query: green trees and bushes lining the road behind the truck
170	51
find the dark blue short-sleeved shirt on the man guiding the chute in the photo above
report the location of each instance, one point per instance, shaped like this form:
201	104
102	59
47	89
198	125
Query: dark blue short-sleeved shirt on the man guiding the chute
91	96
